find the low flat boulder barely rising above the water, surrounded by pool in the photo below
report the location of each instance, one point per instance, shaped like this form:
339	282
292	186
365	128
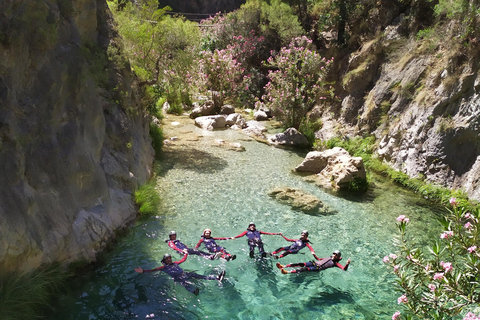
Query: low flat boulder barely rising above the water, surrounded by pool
299	200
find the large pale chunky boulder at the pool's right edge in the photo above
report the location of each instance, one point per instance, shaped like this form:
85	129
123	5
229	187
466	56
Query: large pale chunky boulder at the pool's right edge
334	168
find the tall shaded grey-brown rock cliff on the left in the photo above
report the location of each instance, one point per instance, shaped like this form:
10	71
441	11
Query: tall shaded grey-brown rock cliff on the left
74	142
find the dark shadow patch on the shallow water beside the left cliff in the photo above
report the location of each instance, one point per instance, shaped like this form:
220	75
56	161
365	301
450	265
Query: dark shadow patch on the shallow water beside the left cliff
190	159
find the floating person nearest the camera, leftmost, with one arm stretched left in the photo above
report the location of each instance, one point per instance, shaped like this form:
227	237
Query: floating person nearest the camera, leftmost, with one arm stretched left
180	276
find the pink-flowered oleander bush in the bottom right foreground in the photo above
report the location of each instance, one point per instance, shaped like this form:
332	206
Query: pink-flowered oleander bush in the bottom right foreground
445	280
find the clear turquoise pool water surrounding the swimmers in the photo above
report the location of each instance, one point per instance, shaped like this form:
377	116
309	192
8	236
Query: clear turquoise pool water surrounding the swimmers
206	185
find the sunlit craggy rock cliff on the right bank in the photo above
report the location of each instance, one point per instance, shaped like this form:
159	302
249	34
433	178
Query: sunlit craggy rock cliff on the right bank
421	99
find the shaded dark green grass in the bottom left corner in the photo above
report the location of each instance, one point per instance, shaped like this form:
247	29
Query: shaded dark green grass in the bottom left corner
26	296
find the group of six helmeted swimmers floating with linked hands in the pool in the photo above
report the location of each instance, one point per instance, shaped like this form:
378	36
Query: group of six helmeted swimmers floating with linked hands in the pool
254	241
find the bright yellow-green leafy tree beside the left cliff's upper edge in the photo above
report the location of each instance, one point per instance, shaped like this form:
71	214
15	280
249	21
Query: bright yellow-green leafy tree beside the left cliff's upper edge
160	48
